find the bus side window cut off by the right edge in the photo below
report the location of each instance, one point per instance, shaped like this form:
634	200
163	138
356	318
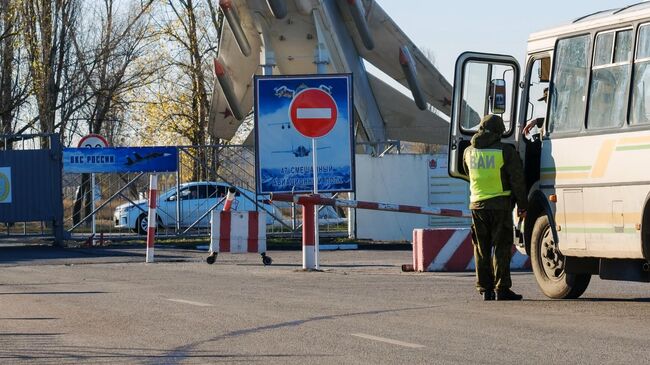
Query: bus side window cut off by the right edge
640	113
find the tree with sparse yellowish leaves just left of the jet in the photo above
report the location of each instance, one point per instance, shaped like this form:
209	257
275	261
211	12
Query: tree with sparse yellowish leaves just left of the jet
180	98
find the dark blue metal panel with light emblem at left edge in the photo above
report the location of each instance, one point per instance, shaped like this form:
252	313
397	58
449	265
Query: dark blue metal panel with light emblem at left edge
30	186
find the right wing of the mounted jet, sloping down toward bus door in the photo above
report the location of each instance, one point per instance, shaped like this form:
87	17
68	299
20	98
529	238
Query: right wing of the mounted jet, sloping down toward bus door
385	55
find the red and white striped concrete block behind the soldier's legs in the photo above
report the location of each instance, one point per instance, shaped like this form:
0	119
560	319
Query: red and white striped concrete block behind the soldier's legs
451	249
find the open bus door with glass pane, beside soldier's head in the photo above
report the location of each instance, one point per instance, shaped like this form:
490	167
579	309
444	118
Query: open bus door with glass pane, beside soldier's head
483	84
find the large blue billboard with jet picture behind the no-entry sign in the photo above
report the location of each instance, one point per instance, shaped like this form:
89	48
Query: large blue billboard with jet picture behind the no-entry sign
283	154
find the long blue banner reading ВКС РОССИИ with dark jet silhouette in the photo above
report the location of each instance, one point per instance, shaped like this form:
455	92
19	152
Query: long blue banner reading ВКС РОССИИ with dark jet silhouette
120	159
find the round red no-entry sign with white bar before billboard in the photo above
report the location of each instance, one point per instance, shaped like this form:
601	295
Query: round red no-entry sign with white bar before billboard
313	112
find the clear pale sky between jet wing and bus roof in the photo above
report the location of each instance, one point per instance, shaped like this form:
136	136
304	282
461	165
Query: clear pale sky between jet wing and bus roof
448	28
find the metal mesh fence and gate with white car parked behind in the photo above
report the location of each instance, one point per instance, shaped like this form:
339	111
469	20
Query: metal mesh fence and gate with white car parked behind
179	215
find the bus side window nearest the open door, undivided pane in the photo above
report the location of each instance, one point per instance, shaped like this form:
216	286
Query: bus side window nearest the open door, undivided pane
569	89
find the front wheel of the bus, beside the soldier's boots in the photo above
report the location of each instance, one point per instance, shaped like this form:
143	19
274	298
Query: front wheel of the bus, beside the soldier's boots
548	265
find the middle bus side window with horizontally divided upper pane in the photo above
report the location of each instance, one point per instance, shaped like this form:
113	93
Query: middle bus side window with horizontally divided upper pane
610	79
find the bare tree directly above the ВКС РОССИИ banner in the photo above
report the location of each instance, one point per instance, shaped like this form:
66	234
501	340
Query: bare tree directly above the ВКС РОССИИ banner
108	49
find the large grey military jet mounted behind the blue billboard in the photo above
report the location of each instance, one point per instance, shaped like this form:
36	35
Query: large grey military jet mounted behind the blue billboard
289	37
